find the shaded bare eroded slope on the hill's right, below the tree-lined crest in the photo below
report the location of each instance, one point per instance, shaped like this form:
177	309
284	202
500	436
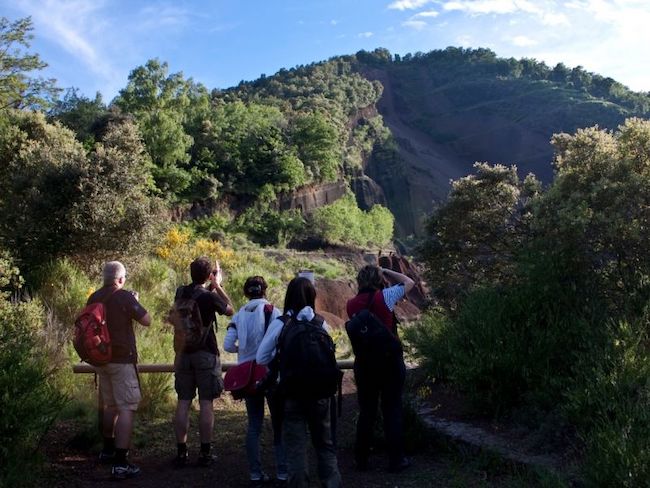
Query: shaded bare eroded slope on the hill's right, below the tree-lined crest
440	129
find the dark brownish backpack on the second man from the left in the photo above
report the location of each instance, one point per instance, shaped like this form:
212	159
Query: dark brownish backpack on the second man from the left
189	332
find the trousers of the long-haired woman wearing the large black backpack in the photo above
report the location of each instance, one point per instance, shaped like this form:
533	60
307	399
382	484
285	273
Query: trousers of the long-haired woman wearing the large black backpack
300	416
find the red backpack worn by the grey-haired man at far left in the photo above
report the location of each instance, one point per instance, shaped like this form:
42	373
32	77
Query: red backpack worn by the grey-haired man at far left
91	338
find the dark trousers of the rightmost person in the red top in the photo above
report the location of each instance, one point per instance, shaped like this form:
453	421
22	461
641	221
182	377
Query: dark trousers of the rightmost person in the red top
383	384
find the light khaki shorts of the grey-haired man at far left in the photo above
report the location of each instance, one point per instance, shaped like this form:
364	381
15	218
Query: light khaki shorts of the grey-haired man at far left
120	386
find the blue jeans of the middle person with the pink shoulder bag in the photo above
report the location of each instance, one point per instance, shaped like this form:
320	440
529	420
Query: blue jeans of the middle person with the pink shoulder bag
255	413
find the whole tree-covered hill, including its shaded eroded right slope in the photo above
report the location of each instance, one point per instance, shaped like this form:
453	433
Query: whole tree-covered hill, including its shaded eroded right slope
393	129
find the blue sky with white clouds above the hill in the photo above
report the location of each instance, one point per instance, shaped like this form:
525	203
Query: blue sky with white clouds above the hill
94	44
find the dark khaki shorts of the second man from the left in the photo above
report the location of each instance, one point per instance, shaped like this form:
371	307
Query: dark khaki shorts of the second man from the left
198	370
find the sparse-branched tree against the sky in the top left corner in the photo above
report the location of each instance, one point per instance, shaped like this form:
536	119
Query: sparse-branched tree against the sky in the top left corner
18	89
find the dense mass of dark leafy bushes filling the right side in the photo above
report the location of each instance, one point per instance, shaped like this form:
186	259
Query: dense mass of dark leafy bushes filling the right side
568	329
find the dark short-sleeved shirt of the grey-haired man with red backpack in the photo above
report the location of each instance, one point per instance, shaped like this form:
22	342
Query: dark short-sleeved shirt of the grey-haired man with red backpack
121	310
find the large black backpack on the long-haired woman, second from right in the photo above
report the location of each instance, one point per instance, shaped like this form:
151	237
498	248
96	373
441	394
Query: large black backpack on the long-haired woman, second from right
307	360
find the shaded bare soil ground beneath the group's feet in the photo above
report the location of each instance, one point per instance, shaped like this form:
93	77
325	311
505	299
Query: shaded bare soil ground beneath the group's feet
72	462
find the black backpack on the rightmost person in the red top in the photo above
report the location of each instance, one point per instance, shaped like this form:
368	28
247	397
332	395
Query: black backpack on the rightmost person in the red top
372	342
